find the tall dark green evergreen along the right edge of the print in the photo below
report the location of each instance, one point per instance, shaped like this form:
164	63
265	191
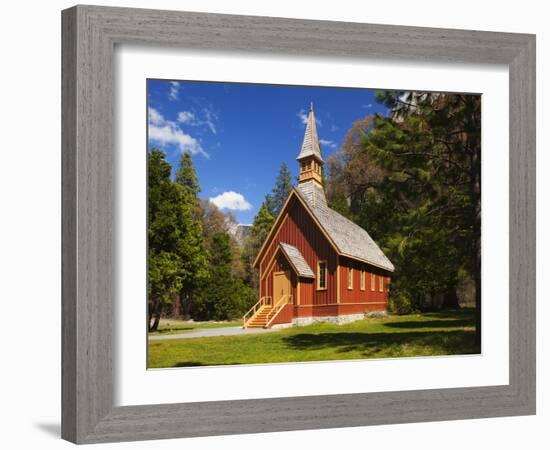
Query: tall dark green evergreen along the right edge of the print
437	149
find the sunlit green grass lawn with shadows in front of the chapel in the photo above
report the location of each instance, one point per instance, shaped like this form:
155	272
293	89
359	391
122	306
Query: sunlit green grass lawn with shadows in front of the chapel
442	333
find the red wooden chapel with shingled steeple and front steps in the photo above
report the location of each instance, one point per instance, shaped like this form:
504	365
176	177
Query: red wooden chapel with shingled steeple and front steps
315	265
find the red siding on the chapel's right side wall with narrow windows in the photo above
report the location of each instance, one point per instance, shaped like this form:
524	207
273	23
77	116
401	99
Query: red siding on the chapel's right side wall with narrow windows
356	295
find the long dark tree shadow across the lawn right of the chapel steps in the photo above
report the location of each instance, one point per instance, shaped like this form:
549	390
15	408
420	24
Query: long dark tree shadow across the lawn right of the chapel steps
443	342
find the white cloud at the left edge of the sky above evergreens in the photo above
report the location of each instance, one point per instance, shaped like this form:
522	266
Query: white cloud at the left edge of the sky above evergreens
162	131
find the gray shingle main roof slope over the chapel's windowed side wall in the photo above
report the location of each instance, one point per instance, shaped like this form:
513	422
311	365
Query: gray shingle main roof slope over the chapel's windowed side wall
350	239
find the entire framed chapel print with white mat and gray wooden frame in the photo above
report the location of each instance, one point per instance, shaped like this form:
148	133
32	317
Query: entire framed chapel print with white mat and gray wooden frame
342	230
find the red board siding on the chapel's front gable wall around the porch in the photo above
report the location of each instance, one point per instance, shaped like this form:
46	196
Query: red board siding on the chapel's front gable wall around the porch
299	229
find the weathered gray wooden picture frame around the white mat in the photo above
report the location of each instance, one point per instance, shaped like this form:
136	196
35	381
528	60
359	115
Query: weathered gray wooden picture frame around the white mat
90	34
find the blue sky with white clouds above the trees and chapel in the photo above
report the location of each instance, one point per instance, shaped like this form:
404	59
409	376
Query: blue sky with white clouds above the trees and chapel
239	134
